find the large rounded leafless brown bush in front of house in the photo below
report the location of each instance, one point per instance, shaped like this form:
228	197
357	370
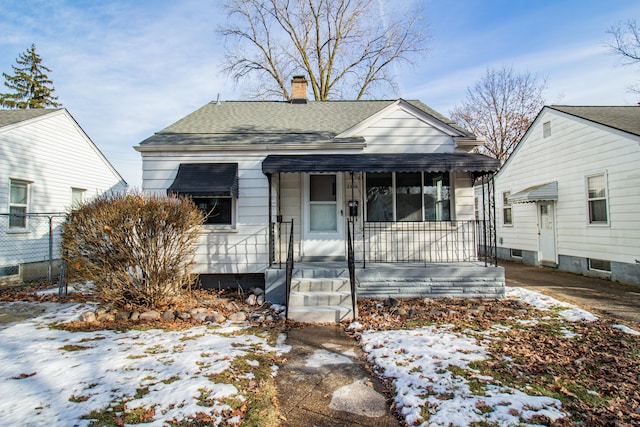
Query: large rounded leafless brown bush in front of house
136	249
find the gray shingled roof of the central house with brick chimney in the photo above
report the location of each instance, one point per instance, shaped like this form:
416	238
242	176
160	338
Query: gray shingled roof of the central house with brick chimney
275	122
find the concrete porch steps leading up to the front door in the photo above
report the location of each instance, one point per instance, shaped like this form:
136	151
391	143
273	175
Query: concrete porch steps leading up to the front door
323	299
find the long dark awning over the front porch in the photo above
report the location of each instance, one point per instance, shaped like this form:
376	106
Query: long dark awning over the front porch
402	162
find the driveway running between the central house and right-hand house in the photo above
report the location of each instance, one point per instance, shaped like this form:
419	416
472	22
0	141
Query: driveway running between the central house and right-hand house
617	300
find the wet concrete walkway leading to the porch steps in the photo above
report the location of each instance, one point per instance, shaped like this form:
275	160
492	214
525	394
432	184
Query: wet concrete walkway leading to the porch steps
324	383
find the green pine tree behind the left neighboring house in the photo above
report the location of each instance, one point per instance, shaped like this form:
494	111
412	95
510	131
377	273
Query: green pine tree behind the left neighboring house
30	86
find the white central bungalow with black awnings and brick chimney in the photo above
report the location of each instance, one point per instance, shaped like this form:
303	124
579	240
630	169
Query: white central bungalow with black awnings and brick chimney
382	187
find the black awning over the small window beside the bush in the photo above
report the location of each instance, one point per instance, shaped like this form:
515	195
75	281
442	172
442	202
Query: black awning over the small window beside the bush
206	180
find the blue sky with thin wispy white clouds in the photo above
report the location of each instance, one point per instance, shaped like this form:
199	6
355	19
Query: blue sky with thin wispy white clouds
126	69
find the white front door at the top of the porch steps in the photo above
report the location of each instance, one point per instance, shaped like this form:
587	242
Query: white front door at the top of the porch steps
323	222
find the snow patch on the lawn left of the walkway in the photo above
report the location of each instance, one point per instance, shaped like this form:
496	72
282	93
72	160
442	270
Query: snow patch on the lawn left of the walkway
53	377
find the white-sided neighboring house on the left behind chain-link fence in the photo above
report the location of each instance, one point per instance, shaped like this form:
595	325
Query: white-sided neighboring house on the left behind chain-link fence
47	163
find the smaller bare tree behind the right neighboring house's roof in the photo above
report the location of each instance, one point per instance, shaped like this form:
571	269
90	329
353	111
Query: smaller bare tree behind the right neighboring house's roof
500	107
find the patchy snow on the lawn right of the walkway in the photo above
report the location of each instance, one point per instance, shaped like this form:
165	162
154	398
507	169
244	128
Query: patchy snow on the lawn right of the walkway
425	364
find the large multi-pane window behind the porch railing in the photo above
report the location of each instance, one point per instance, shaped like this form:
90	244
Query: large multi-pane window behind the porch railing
408	196
